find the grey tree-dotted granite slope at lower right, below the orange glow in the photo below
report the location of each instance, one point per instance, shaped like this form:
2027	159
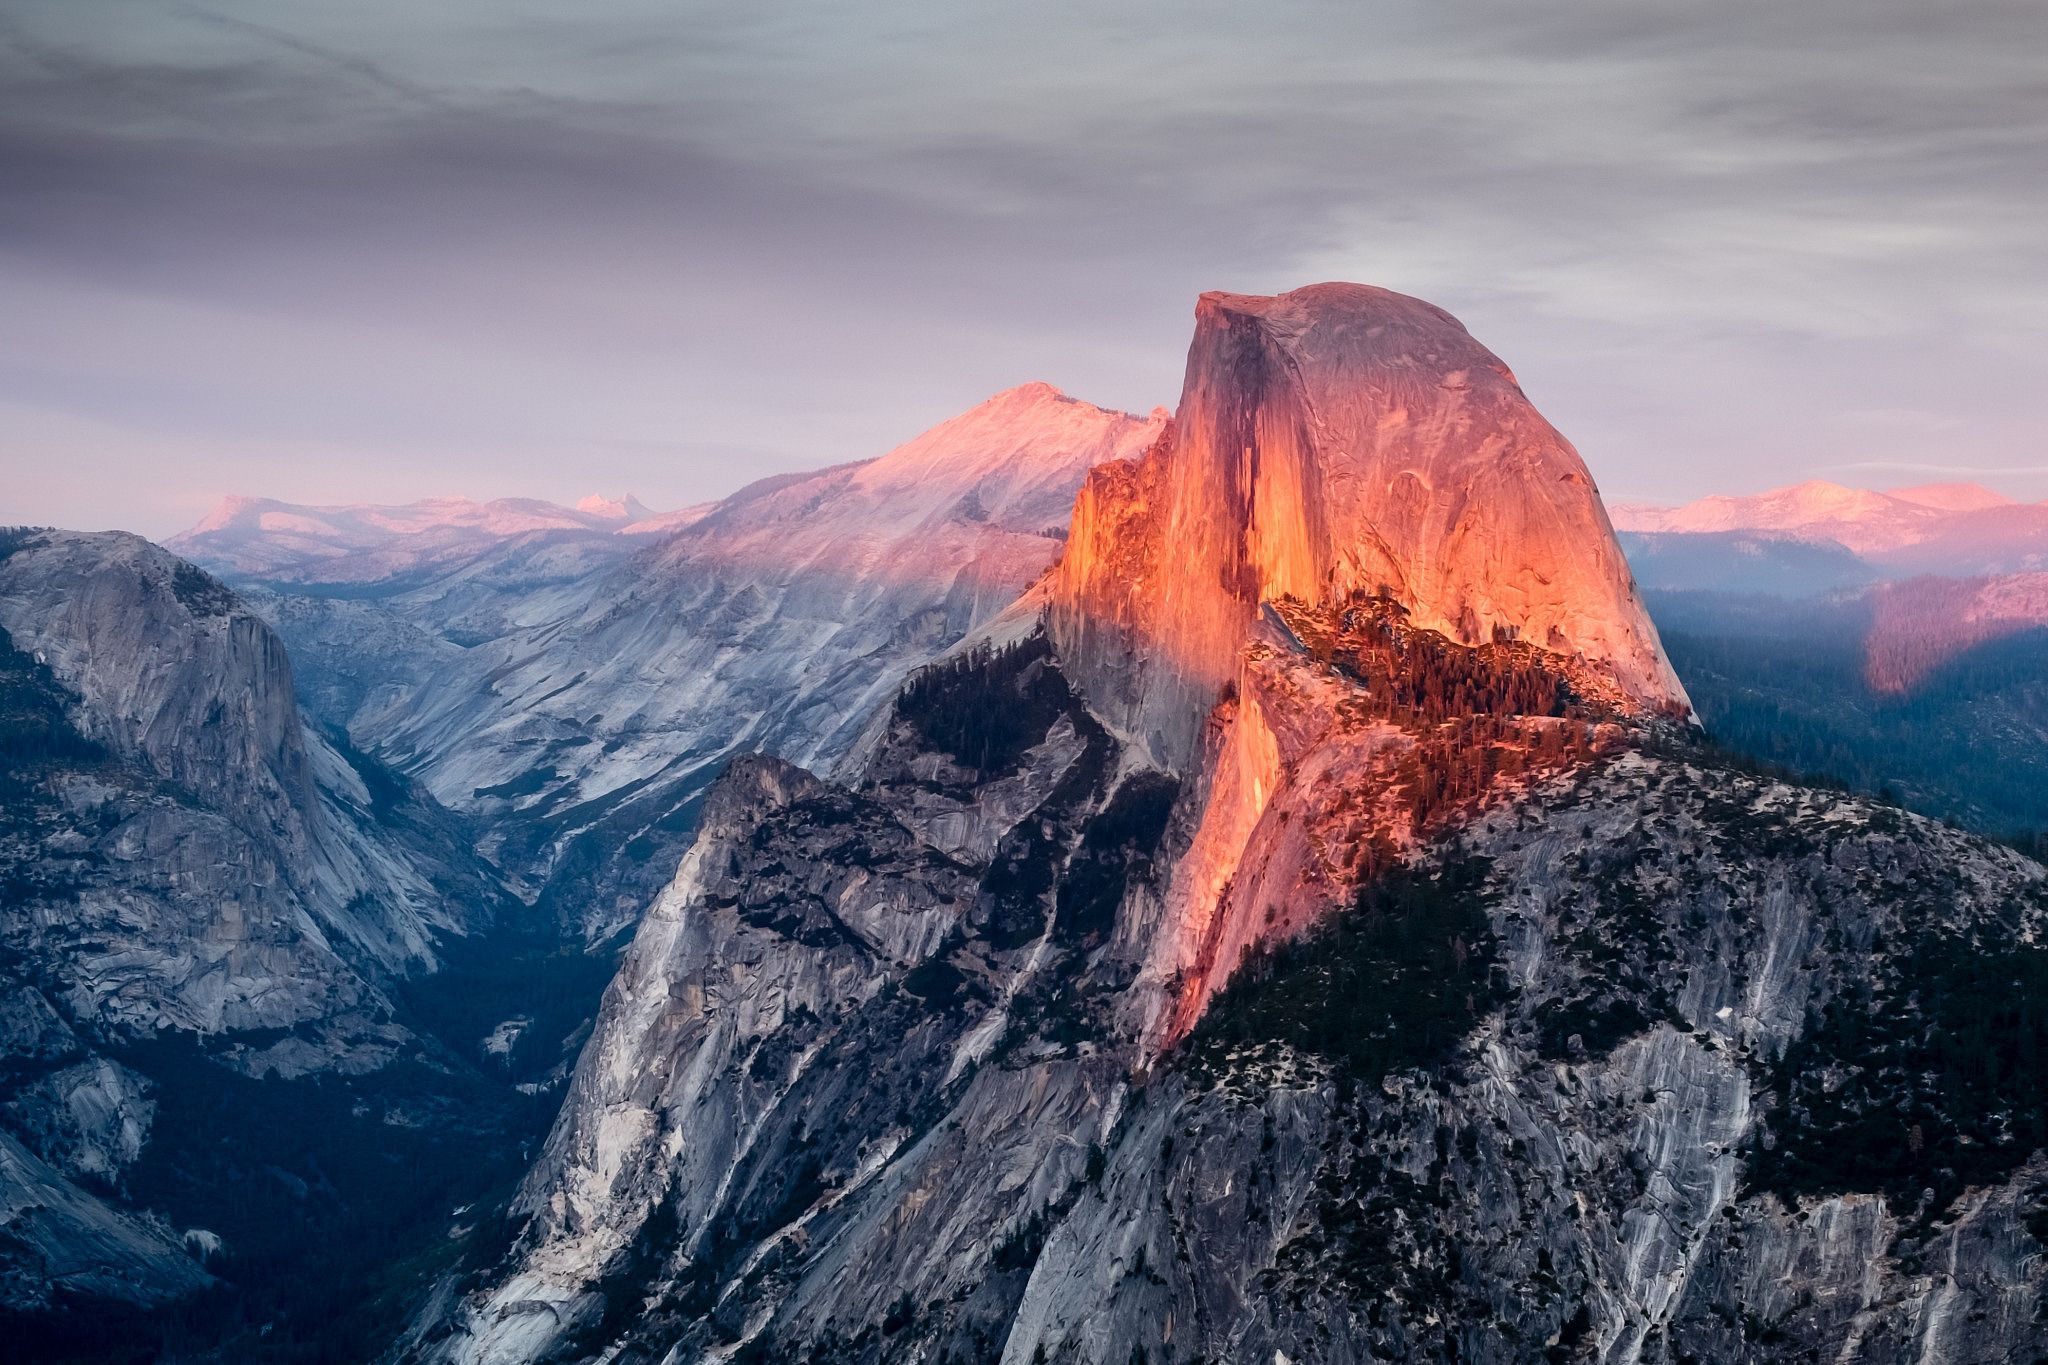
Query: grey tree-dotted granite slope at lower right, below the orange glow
1596	1168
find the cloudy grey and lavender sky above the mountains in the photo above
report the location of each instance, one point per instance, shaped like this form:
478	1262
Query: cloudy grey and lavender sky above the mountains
497	249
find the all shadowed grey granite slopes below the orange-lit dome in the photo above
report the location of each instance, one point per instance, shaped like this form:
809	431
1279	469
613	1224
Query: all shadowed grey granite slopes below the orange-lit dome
857	1098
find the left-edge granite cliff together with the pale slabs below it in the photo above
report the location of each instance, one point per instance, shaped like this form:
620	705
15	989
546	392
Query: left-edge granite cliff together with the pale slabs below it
181	858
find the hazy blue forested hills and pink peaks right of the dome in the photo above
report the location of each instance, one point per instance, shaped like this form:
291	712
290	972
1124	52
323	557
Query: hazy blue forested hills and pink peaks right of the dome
1897	642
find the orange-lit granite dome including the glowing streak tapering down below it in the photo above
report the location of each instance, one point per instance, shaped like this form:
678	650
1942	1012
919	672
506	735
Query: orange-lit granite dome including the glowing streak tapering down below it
1332	443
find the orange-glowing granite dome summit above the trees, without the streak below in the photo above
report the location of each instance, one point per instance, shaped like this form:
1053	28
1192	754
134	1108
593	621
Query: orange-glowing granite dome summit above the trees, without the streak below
1338	439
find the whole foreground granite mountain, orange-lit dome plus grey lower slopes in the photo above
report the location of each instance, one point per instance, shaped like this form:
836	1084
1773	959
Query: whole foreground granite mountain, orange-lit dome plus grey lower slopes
1422	989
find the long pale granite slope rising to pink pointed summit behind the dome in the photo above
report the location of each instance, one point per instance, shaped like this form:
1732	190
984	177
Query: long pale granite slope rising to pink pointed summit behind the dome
775	623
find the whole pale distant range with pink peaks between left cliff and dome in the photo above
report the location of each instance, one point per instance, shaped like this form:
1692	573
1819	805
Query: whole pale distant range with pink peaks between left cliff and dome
574	678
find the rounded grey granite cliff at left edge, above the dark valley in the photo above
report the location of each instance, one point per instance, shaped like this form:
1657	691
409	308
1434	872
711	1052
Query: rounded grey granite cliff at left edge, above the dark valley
202	863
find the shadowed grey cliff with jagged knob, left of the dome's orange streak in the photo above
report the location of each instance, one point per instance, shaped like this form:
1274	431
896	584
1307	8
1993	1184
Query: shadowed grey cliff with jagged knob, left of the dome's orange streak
820	987
